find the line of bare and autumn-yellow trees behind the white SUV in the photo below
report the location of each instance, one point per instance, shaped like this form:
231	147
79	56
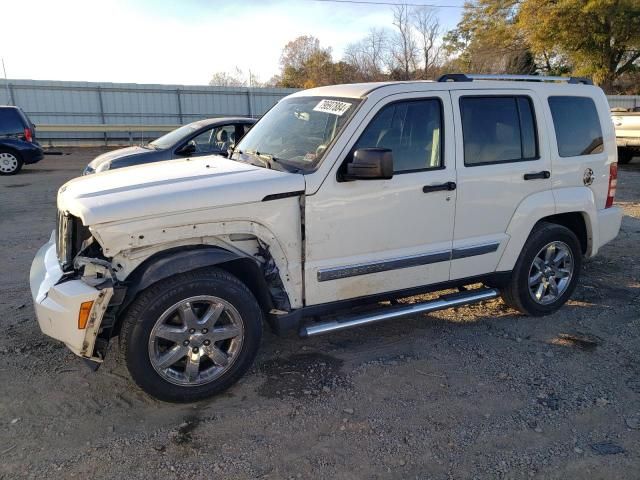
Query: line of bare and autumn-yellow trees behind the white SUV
599	39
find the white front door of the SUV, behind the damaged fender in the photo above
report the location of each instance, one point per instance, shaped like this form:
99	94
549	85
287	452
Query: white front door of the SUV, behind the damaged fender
365	237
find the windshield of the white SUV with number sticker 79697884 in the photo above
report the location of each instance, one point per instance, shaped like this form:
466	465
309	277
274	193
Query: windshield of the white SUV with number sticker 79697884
296	132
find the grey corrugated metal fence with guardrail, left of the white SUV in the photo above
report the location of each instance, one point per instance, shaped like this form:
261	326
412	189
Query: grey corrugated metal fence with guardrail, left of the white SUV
90	113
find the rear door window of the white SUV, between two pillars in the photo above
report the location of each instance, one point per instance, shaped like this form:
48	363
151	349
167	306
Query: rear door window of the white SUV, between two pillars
498	129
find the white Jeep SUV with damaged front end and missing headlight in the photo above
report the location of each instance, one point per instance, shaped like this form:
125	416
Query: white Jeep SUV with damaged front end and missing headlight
338	196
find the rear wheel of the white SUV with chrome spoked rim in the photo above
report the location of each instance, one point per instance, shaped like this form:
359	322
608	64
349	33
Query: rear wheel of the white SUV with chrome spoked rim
532	265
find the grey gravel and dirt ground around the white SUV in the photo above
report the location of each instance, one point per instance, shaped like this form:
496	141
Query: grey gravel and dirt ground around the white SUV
477	392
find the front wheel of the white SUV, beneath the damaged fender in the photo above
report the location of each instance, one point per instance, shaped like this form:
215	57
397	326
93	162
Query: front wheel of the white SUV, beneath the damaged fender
169	349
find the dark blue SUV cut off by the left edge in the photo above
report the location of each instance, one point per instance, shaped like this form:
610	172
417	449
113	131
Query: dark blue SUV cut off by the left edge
18	144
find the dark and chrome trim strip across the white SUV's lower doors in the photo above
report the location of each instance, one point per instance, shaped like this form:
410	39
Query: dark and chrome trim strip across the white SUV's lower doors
335	273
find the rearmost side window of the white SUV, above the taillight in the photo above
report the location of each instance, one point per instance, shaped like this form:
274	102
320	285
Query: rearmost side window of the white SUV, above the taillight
577	126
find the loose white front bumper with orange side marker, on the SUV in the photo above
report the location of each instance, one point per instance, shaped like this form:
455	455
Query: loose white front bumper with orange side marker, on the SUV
58	299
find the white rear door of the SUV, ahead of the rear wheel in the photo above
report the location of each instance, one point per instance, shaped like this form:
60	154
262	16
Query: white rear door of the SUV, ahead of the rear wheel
501	160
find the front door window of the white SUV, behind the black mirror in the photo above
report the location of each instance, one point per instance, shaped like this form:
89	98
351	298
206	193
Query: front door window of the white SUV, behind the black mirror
412	130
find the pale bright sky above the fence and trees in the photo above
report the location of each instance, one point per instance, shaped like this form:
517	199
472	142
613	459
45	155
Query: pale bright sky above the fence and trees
175	42
